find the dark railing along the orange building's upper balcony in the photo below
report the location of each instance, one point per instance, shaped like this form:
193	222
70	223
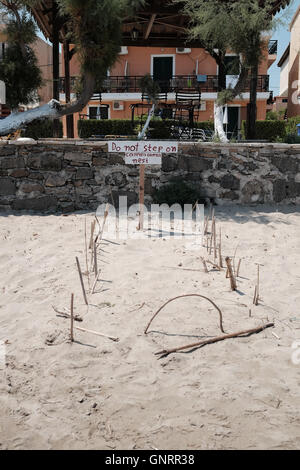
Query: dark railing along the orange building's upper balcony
202	83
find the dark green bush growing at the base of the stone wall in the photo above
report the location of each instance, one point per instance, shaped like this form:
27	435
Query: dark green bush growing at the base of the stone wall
177	192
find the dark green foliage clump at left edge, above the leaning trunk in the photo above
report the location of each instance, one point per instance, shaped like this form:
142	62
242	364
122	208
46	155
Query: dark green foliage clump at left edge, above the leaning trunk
21	74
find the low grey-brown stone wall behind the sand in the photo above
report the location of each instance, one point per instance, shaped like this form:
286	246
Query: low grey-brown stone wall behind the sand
74	175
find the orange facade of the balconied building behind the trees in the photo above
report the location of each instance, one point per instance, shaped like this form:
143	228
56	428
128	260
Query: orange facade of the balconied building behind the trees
175	69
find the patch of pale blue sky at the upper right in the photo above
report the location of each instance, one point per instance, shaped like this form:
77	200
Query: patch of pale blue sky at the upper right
282	34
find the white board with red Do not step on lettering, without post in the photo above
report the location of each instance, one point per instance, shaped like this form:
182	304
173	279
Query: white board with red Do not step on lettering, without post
142	152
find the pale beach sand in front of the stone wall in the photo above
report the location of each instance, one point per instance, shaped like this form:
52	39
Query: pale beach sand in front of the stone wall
96	394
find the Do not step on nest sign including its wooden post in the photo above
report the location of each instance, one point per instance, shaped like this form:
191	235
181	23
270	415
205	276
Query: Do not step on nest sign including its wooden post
142	152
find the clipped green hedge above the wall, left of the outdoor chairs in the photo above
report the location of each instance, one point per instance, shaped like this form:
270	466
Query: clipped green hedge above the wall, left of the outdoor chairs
90	127
